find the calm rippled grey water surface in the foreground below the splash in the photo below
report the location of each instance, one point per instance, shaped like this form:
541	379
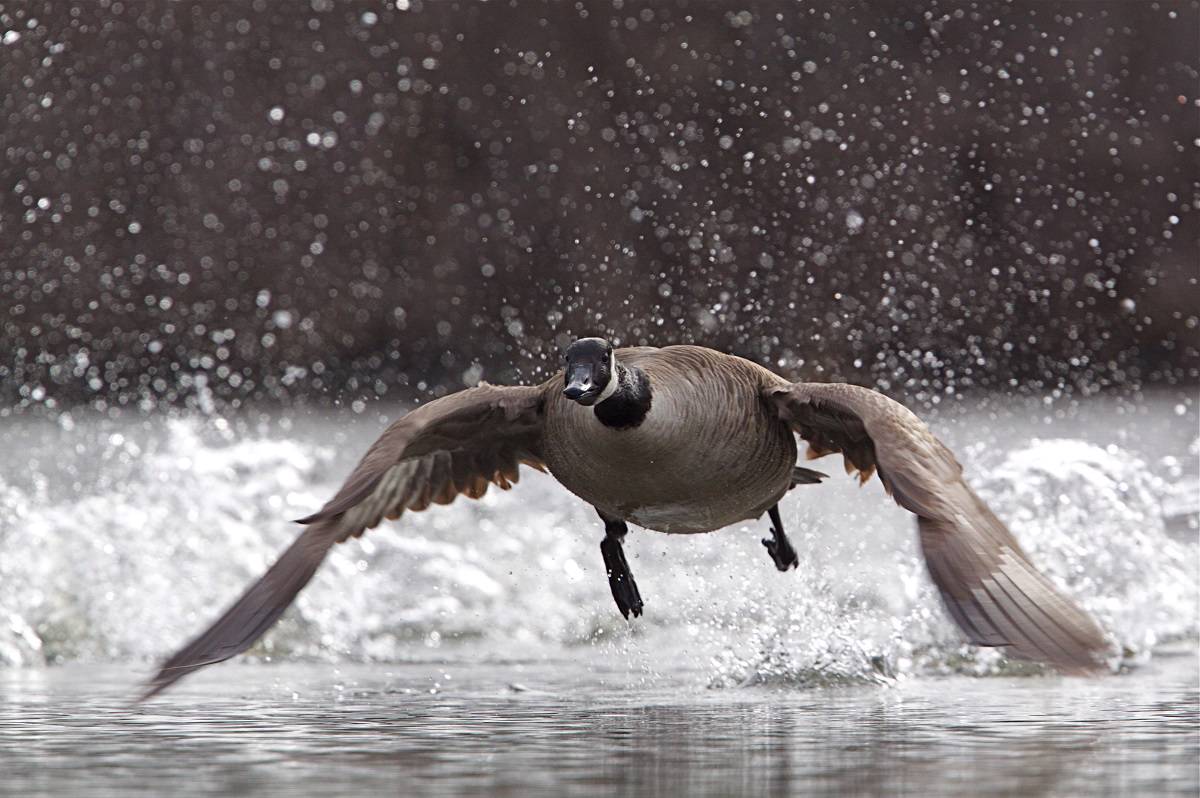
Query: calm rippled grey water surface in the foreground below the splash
583	727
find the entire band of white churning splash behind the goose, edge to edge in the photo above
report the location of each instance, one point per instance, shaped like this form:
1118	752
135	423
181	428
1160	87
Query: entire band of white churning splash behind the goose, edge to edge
133	563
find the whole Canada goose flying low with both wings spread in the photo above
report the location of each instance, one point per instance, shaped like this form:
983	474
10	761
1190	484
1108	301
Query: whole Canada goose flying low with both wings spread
680	440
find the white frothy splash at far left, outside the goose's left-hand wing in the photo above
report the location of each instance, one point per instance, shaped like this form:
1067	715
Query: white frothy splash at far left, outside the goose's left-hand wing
98	575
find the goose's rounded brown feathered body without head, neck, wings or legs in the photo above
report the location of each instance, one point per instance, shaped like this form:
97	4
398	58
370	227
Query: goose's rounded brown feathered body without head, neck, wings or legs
711	452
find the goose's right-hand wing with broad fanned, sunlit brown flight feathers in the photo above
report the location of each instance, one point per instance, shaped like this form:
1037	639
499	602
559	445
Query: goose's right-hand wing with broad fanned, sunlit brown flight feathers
987	581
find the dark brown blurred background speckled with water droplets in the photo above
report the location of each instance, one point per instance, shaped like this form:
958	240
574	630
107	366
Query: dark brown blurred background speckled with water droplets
247	201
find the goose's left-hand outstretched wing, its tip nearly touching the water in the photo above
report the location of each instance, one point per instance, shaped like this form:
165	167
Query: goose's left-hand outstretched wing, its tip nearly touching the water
459	445
